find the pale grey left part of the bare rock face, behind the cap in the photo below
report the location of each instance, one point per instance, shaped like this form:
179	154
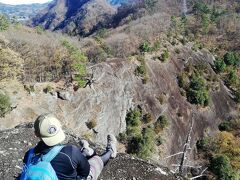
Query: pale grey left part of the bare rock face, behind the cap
106	101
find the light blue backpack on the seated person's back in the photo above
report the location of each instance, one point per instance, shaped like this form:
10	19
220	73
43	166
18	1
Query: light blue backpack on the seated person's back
38	167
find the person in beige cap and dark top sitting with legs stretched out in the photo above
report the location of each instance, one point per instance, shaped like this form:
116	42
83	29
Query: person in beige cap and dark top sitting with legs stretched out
71	162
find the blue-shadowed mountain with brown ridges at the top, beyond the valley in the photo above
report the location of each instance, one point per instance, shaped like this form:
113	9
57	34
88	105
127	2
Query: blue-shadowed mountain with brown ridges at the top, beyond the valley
75	17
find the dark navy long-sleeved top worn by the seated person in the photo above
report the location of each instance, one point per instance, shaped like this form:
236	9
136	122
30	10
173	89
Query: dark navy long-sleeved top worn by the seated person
68	164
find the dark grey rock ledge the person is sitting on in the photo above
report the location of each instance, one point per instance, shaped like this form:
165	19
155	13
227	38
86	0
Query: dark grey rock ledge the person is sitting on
15	142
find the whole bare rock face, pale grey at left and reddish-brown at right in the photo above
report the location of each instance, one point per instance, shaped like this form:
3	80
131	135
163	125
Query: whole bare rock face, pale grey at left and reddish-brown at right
116	89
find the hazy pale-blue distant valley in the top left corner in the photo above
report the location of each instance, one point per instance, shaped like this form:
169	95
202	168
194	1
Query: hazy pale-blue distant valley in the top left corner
21	12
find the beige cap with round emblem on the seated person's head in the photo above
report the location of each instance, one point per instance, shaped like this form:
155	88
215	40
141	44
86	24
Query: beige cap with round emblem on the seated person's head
49	129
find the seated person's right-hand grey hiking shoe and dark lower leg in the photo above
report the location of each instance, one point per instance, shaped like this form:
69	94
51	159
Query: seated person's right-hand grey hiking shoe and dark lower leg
111	149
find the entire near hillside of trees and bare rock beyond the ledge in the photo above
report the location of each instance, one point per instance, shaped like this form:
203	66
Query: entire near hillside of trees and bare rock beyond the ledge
158	80
